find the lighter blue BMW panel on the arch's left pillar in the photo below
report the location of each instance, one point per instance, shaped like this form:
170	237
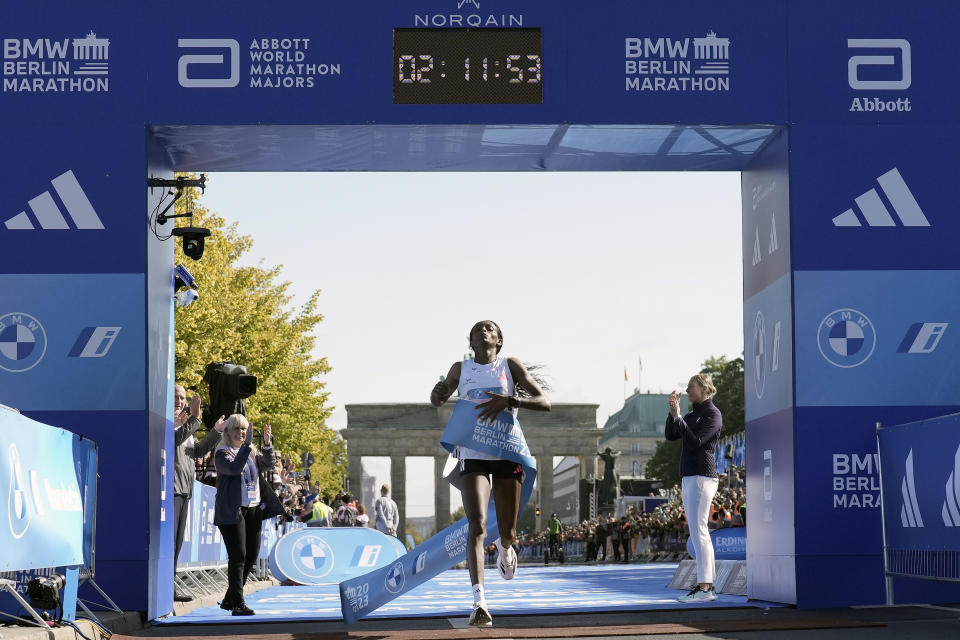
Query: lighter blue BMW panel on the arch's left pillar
64	336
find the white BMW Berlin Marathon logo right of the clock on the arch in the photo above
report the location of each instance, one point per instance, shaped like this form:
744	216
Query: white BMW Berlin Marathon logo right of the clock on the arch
686	65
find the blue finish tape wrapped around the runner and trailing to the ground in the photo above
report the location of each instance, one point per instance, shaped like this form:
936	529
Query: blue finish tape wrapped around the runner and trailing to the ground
501	437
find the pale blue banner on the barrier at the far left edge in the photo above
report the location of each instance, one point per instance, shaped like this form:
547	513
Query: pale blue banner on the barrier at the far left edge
46	477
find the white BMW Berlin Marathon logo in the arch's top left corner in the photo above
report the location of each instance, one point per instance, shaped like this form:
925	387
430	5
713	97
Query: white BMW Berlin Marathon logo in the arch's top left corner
51	65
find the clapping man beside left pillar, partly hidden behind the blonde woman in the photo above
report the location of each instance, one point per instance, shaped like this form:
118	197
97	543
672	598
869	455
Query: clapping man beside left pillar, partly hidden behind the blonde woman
186	422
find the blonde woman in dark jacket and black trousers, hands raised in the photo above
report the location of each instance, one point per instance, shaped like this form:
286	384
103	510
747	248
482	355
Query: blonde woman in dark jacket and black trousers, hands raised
238	466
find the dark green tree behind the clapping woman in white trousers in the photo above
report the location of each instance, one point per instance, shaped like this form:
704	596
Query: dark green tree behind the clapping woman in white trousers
727	377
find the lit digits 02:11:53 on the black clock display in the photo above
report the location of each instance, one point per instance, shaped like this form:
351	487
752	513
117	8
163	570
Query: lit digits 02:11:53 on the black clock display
514	69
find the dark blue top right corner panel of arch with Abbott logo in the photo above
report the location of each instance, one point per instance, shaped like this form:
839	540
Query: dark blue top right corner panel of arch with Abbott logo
876	63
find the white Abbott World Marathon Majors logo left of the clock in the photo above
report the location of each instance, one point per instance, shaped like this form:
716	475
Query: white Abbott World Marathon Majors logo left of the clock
271	63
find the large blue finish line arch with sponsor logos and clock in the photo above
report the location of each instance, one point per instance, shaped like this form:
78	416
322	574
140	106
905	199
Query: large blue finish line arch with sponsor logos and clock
838	117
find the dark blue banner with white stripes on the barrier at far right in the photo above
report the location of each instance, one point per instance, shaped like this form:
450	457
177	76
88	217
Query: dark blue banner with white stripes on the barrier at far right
921	485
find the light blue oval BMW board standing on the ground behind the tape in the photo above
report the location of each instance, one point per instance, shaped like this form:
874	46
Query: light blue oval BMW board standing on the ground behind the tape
323	555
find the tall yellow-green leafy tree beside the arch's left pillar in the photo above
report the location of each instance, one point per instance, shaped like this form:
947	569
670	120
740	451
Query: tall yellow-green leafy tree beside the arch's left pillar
244	316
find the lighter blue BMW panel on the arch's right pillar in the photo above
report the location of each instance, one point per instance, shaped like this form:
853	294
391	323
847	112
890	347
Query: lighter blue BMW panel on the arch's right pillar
876	338
